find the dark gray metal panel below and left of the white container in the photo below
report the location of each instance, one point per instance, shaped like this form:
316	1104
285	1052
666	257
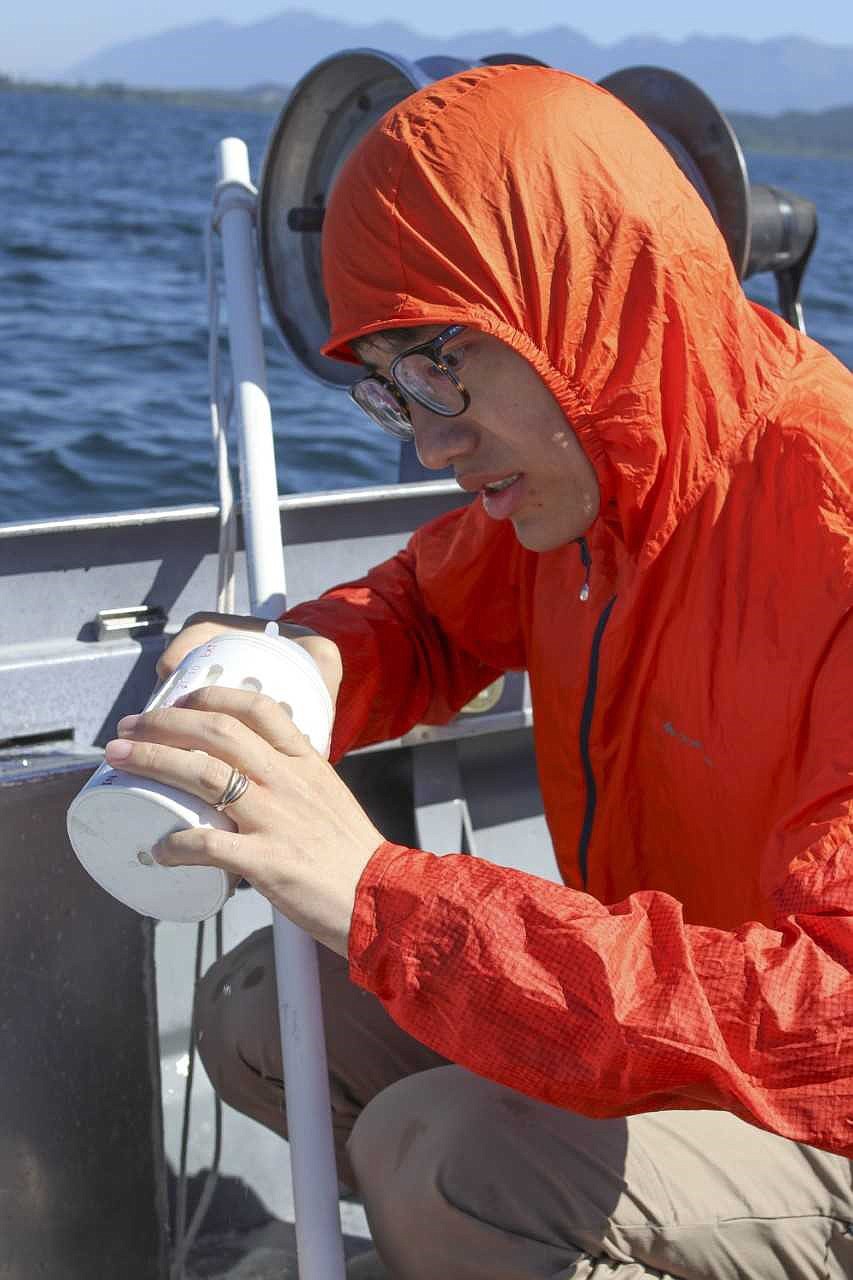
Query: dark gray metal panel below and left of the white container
83	1190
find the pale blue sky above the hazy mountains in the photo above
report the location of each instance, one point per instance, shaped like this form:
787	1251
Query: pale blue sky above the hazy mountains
44	36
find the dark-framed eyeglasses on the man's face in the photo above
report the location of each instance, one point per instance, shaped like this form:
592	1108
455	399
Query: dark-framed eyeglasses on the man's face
419	373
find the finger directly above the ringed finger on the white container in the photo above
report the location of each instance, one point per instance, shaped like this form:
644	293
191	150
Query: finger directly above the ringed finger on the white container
215	733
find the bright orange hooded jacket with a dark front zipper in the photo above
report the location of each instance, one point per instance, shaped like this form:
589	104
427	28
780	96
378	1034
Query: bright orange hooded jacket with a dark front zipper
692	716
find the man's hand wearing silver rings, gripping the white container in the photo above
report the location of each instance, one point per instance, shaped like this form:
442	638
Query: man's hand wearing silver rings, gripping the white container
303	839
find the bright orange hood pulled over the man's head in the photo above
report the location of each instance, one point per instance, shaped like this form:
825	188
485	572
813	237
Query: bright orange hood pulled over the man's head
535	207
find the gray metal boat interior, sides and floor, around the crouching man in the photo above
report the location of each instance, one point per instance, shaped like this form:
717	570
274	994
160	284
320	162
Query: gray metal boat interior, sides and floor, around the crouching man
97	999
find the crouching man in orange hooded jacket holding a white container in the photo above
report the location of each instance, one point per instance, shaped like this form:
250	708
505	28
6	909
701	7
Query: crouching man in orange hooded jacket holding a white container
655	1062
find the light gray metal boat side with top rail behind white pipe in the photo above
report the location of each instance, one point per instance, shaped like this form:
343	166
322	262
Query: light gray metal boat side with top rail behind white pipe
58	680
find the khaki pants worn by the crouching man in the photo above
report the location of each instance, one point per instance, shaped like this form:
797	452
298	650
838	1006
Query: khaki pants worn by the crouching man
464	1180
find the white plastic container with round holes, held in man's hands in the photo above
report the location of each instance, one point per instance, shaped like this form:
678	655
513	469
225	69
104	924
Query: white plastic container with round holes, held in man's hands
118	817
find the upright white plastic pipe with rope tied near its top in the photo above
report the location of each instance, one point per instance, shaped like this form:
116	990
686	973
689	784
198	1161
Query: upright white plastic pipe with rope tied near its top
309	1112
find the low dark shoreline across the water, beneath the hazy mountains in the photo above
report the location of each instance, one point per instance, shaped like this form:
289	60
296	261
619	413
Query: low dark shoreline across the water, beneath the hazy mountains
805	134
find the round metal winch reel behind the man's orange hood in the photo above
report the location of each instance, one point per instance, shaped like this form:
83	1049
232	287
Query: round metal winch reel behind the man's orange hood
343	98
